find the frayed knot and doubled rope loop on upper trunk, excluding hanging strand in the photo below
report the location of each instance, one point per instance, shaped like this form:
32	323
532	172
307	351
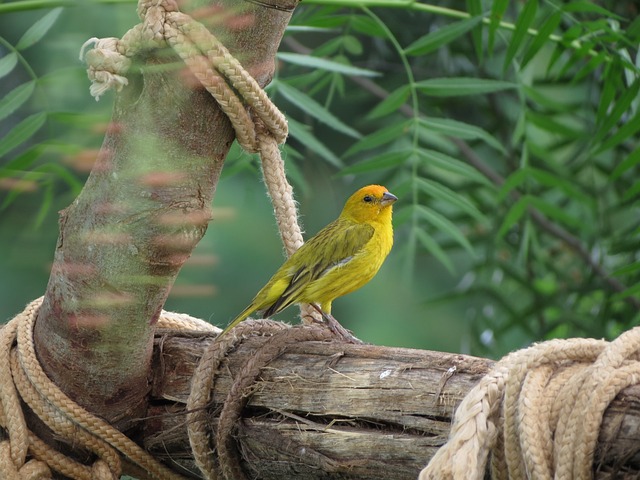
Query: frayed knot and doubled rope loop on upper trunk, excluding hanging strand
218	71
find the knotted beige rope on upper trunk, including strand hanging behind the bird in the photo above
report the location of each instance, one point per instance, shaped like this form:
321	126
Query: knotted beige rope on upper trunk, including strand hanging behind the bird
222	76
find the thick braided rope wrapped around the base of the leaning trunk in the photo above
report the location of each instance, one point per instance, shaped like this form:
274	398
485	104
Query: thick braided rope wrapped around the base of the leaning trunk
22	379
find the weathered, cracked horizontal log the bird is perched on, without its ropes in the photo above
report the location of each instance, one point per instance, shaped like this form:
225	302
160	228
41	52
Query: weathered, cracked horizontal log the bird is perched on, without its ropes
332	410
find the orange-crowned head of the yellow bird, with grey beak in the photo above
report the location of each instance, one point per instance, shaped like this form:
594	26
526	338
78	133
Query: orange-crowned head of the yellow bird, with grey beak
370	204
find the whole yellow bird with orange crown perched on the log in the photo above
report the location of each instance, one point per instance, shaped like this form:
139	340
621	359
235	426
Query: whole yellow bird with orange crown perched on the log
339	259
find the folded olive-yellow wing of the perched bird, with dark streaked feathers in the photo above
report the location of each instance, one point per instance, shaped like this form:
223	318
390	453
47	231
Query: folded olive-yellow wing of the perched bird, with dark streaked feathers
333	246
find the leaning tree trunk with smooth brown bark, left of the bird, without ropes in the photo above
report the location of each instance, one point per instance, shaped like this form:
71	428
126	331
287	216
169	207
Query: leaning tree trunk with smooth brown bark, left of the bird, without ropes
144	208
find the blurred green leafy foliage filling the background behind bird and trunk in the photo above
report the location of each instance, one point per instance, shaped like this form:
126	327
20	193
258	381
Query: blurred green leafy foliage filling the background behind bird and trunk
509	130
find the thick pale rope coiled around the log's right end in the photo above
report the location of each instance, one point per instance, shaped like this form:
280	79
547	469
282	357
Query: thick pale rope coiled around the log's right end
539	411
